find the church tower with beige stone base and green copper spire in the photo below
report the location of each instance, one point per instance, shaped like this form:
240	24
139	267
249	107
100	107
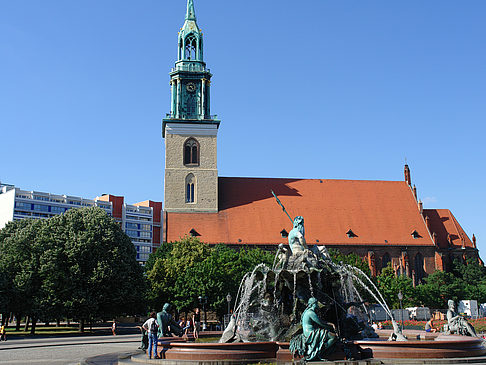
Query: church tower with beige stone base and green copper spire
190	132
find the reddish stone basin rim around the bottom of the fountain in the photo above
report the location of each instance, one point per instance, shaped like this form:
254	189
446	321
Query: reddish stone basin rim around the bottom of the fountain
433	347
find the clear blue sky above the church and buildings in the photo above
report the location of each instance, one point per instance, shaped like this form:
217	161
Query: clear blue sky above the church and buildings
310	89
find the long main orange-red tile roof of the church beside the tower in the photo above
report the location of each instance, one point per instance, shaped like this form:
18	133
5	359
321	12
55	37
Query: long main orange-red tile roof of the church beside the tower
378	212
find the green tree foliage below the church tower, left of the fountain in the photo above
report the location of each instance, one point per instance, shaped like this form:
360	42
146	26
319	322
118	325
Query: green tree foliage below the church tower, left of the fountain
182	271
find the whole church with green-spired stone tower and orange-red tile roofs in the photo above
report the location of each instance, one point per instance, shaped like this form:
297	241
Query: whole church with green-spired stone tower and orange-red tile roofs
381	221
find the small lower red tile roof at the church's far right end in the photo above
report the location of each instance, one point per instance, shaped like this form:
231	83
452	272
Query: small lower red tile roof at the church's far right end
444	224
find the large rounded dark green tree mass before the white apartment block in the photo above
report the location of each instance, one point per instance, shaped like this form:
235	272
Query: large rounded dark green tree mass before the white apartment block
78	265
